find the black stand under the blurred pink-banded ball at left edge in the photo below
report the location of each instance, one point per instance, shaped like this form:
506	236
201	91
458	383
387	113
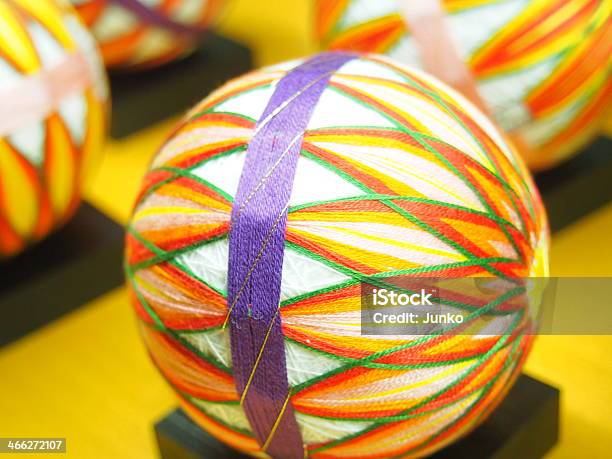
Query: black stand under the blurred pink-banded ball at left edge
76	264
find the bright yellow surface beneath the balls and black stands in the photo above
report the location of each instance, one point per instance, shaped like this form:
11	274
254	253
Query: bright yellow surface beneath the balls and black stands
87	377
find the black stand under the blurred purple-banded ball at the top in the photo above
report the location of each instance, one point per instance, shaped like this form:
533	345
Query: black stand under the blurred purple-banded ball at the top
141	99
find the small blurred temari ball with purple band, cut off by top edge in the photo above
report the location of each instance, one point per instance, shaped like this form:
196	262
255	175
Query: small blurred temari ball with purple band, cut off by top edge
146	33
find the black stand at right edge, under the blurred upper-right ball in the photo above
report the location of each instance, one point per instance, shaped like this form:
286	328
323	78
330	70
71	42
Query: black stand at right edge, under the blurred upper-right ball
579	186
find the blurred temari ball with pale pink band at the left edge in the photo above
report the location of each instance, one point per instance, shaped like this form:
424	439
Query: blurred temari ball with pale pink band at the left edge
52	117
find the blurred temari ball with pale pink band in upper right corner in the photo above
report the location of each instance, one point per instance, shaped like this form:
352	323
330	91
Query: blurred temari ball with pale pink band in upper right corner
541	67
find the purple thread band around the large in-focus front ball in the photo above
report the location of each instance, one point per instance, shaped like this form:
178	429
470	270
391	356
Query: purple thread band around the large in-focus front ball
256	248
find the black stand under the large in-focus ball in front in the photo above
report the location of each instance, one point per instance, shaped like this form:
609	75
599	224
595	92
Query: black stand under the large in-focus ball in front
525	425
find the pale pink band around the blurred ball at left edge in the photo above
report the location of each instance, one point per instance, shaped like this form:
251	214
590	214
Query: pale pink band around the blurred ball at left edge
34	97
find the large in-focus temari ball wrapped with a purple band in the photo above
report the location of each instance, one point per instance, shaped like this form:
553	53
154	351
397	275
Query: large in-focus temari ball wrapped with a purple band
293	183
